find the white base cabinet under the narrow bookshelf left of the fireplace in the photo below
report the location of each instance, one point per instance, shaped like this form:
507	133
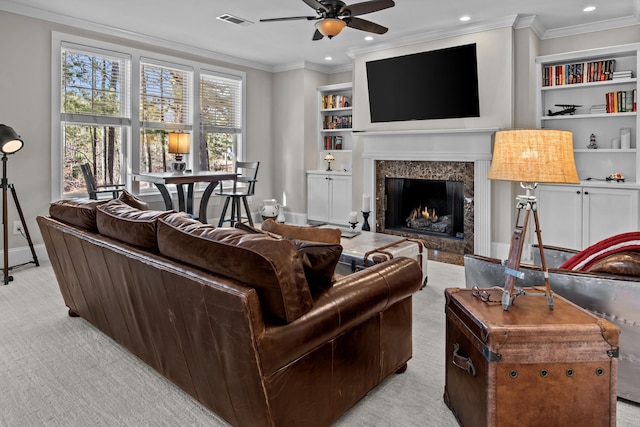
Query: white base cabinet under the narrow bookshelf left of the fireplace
329	197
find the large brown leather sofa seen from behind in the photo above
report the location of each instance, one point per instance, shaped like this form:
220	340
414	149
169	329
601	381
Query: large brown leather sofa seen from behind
252	325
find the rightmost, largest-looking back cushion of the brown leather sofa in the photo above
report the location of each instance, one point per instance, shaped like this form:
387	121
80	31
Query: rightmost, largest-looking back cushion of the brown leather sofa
269	265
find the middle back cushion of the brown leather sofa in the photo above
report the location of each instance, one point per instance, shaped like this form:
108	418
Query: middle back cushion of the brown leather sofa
122	222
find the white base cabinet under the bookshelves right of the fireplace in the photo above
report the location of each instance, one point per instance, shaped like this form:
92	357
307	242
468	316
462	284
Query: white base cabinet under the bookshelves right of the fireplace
576	217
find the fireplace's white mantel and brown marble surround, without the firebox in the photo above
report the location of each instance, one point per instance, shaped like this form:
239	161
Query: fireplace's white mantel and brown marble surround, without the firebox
460	154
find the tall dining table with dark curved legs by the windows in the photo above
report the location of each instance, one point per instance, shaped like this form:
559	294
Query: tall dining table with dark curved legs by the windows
185	180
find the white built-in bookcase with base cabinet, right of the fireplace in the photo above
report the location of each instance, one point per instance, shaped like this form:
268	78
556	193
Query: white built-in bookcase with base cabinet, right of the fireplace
577	216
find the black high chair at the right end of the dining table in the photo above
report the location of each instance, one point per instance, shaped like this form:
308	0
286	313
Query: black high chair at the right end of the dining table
243	187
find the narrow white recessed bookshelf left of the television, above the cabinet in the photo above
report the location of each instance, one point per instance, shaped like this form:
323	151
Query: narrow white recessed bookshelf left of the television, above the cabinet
335	124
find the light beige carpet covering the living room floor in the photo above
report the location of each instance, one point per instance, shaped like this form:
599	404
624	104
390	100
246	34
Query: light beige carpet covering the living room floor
60	371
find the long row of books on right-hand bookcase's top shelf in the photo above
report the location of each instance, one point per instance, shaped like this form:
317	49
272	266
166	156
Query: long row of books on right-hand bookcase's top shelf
579	72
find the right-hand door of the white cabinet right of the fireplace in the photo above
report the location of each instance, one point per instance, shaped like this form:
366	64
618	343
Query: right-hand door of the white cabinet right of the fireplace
607	212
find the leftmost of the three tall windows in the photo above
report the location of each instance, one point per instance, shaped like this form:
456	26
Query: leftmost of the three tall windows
94	116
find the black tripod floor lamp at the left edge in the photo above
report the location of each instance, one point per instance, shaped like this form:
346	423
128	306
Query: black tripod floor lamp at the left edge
10	143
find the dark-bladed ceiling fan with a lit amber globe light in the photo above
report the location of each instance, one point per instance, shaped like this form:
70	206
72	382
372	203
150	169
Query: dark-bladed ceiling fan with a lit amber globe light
334	15
